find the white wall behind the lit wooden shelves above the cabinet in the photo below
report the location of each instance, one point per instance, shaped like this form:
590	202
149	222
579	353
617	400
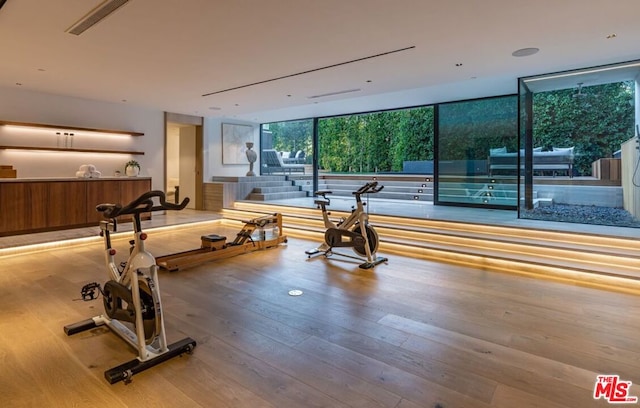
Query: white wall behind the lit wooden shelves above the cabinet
19	105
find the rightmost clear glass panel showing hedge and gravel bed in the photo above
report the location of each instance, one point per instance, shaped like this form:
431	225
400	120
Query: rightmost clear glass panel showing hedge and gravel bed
582	146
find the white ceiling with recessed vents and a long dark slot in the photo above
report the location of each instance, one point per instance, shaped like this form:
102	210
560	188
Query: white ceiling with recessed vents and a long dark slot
165	55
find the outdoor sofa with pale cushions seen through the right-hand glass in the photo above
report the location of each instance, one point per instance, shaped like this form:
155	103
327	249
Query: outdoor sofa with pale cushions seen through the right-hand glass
558	159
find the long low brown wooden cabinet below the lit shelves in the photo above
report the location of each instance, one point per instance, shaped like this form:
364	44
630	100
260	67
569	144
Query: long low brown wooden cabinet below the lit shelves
34	206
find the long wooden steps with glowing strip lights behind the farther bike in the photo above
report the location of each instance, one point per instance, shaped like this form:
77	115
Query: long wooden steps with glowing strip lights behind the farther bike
533	252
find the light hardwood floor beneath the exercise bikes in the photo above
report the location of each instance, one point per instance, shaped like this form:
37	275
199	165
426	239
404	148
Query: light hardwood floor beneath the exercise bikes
408	334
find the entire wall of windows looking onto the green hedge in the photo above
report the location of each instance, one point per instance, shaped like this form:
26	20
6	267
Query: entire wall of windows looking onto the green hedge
555	151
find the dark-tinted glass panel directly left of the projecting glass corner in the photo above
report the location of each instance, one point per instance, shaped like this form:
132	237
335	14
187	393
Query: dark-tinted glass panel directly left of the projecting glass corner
477	152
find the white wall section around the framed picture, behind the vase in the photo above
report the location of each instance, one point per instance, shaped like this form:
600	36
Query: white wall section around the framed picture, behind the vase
212	150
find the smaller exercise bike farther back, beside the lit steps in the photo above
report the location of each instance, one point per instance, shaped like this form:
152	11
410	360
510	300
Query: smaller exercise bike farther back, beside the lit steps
353	232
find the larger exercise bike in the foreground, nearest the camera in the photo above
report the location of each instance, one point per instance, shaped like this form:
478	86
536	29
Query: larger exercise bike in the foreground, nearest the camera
131	296
